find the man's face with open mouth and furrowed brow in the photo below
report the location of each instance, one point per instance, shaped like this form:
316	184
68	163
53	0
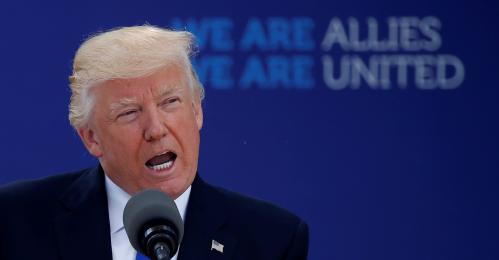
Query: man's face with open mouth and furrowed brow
145	131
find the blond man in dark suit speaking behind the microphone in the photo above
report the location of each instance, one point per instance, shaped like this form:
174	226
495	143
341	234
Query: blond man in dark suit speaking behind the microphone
136	104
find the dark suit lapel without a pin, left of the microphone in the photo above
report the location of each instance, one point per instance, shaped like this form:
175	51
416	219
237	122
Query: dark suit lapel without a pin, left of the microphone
82	224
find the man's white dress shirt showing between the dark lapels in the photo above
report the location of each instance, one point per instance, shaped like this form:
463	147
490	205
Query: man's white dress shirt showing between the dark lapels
116	201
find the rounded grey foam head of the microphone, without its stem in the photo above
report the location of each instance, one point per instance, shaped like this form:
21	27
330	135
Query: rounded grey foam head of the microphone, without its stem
147	209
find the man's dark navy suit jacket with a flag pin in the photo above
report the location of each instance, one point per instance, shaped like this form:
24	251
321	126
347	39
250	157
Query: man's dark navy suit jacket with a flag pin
66	217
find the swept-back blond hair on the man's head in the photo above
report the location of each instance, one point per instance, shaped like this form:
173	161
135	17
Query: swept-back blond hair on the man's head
125	53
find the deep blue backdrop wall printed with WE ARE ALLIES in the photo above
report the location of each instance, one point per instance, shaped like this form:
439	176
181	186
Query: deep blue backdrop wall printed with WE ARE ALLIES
406	171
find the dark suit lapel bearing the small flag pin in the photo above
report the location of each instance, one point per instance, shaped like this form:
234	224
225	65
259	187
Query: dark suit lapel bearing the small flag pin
207	212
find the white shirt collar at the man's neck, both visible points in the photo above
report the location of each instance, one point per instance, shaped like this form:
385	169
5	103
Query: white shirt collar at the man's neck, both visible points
117	199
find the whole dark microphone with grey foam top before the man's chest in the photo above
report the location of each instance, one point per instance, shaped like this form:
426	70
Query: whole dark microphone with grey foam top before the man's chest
153	224
